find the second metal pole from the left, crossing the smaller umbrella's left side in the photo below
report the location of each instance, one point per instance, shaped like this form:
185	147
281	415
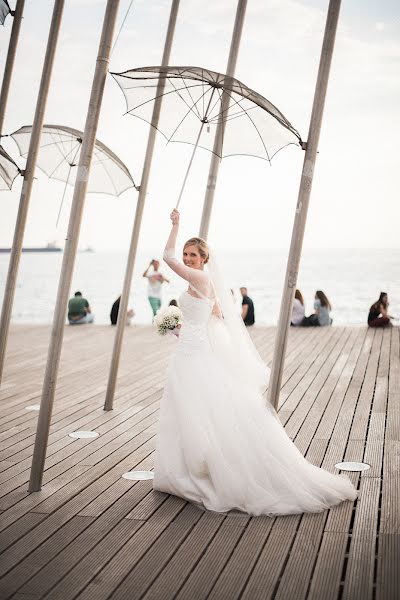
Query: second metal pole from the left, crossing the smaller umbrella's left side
28	179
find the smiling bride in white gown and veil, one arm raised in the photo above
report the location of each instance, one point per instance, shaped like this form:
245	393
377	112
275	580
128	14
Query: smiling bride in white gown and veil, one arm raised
218	444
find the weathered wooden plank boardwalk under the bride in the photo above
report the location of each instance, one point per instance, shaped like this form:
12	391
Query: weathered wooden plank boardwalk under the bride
91	535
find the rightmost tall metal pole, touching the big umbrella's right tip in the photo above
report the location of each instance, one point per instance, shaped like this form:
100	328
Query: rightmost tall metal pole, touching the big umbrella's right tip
302	203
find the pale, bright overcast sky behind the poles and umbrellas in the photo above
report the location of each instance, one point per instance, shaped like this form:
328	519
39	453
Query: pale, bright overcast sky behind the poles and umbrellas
354	201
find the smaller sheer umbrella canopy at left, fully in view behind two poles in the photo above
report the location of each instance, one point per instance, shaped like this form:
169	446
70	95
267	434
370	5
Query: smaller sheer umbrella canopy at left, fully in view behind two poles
59	157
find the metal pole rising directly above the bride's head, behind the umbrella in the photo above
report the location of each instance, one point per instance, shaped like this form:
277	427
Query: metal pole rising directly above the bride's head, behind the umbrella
219	134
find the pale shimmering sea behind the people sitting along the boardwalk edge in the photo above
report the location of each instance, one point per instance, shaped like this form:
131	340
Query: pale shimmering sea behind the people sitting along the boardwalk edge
351	278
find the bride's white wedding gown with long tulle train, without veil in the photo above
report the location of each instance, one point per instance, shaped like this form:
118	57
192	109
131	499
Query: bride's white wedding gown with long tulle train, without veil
219	446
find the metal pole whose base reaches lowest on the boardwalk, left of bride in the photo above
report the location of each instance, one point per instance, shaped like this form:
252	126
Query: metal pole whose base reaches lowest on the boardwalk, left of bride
89	138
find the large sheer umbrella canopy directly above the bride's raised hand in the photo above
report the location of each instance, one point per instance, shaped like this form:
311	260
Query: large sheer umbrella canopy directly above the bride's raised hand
195	96
